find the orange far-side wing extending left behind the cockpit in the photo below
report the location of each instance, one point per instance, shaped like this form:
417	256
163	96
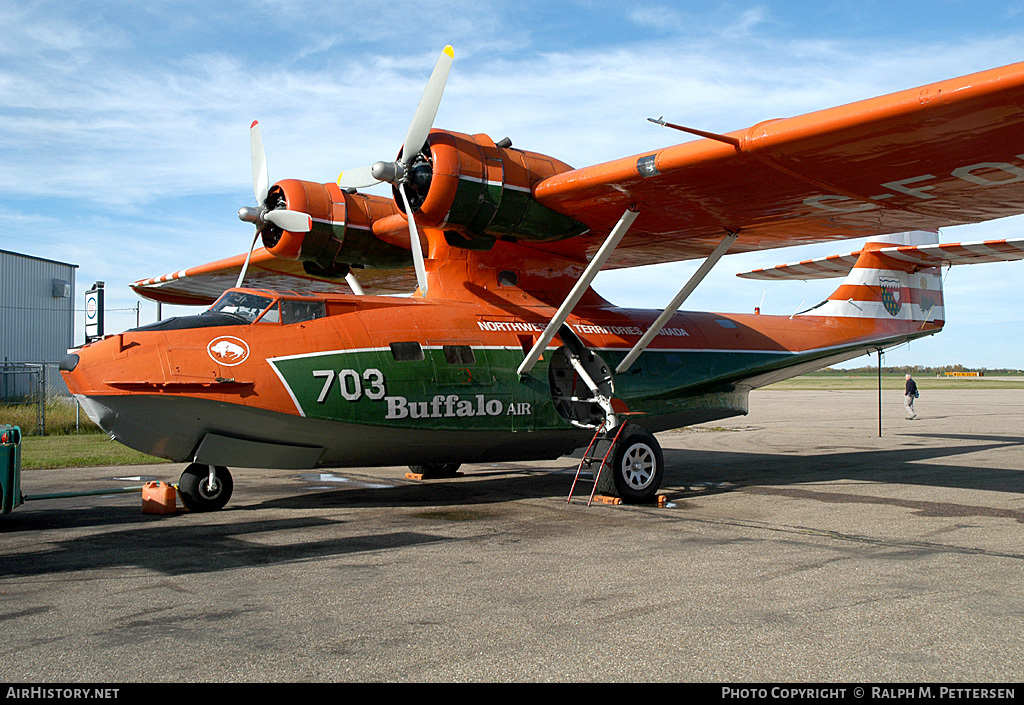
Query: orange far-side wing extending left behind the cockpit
202	285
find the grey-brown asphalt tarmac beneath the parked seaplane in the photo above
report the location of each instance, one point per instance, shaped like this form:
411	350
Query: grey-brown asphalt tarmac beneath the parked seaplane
796	547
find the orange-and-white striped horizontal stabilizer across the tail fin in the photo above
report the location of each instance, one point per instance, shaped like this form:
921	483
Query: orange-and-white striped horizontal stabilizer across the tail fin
919	256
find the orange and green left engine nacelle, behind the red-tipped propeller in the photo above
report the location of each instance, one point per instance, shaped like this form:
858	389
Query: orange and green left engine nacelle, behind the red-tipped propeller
343	229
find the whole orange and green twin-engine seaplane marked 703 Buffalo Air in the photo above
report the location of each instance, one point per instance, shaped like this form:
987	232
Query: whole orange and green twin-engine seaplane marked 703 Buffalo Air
306	357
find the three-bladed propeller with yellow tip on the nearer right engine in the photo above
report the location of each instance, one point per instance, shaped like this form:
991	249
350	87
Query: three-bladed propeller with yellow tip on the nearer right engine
400	173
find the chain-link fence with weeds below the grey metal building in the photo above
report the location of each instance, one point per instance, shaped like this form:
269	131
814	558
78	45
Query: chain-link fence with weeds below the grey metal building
34	397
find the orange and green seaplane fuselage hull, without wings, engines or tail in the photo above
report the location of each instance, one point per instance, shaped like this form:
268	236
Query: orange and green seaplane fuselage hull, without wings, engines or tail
277	381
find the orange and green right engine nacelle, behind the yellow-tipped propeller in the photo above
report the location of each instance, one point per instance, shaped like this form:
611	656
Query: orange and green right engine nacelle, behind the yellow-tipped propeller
478	191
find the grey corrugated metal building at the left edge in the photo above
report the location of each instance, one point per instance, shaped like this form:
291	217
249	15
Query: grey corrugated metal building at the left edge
37	309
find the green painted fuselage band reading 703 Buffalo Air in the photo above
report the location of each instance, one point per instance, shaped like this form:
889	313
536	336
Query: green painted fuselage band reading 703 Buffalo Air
368	387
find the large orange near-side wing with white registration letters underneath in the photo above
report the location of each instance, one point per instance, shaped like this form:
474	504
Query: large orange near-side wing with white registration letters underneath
946	154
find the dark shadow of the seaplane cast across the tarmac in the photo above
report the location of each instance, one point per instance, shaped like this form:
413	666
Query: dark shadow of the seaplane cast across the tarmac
182	547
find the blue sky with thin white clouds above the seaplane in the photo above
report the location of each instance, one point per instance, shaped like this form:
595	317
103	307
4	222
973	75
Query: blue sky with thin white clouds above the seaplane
124	127
